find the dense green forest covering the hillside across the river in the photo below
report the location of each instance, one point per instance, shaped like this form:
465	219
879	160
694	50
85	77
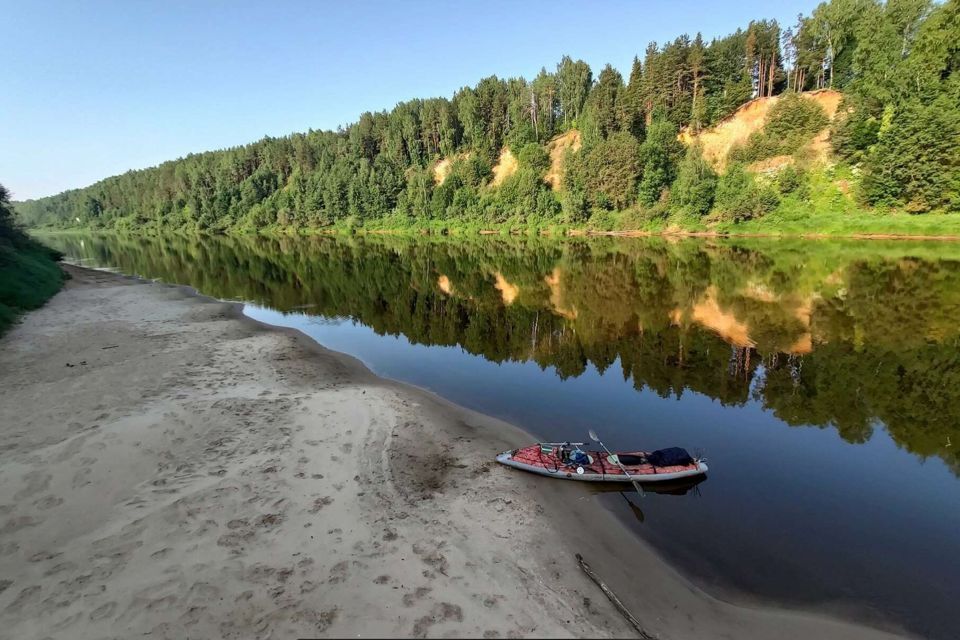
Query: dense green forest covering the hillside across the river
578	149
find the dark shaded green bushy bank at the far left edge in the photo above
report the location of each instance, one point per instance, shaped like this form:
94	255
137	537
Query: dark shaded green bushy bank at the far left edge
29	273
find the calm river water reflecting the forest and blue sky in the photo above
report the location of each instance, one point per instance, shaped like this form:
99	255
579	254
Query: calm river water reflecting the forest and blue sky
820	379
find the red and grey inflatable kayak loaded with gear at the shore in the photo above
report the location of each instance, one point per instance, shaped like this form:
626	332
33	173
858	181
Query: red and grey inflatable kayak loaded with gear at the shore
566	460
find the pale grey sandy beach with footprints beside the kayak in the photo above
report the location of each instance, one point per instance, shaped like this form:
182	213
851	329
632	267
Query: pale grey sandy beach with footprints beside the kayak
172	468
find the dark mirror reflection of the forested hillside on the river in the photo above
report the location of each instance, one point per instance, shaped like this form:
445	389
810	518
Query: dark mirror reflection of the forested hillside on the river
831	340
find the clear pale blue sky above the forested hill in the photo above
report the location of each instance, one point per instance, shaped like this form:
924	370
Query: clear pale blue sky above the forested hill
95	88
